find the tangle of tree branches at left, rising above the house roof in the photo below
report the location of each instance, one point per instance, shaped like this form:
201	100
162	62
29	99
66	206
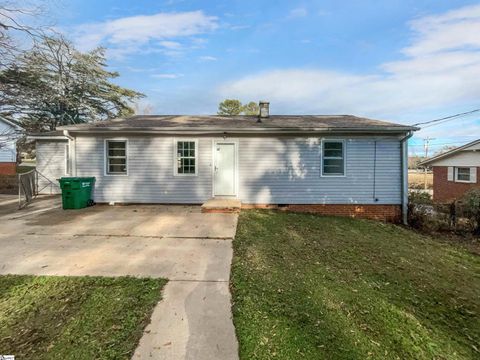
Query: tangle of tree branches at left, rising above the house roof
50	83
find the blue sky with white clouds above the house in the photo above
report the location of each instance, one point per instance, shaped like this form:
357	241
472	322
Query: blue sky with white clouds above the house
402	61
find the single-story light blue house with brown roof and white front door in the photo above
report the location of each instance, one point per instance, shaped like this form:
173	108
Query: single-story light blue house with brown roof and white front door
343	164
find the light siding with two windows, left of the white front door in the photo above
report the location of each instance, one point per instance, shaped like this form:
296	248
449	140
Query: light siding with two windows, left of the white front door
150	176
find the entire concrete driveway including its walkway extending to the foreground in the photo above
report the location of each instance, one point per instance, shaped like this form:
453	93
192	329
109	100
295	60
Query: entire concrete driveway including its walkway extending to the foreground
191	249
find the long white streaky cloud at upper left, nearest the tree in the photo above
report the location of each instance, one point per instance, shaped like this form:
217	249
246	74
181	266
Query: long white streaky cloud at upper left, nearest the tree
130	34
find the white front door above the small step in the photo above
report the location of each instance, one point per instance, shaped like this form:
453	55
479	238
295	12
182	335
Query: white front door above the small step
224	169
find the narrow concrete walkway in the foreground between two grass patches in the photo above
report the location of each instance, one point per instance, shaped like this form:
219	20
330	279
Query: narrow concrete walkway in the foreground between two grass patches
192	322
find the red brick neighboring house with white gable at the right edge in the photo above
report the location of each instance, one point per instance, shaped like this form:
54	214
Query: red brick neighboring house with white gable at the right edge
455	172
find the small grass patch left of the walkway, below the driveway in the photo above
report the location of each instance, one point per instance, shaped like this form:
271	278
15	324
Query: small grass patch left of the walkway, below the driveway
48	317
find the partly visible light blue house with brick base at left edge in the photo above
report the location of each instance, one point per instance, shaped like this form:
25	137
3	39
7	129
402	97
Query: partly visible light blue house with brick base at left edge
9	133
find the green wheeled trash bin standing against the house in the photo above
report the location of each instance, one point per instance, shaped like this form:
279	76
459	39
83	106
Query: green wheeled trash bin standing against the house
76	192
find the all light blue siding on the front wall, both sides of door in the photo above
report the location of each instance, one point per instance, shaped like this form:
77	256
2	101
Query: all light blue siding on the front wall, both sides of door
272	170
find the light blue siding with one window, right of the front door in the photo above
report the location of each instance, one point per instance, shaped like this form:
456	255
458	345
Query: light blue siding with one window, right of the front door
287	171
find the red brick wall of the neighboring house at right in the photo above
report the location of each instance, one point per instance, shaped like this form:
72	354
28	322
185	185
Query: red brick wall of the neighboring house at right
445	191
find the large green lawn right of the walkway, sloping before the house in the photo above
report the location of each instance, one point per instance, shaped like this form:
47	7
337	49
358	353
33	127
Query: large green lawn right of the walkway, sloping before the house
311	287
